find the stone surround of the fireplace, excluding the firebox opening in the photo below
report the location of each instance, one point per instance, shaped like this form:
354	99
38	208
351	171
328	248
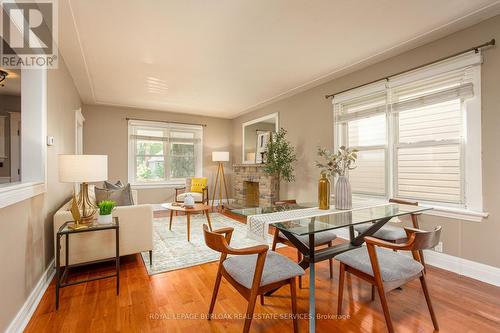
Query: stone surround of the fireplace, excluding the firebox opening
253	173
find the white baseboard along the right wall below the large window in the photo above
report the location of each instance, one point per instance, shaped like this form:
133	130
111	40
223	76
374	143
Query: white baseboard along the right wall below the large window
460	266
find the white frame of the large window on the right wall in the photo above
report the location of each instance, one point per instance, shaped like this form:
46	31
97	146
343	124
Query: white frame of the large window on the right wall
470	146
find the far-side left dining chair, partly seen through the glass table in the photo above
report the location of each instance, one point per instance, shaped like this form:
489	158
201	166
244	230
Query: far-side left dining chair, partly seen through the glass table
320	239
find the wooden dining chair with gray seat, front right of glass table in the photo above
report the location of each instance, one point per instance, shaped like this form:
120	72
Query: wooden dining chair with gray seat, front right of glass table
386	269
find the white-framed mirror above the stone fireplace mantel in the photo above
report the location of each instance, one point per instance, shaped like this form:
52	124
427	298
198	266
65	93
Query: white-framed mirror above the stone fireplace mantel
255	135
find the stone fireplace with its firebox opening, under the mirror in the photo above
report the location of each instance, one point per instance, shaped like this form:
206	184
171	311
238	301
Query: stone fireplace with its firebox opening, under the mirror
252	186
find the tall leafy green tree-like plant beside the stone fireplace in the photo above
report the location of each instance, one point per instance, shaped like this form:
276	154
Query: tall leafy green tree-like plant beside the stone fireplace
280	156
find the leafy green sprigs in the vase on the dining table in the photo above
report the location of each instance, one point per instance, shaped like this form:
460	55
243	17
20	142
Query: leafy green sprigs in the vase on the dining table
337	163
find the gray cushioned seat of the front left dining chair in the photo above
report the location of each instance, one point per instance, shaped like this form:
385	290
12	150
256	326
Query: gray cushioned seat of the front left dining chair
276	268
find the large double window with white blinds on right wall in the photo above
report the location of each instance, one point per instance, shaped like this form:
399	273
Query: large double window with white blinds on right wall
418	134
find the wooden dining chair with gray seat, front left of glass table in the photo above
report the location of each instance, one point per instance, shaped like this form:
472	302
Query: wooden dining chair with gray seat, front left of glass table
252	271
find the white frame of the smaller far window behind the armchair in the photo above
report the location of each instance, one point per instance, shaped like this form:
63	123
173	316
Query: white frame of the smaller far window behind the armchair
166	127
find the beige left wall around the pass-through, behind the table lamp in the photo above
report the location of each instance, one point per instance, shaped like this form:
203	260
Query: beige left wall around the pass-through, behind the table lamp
26	233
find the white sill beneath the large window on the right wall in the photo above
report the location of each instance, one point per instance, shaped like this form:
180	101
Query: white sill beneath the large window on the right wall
448	212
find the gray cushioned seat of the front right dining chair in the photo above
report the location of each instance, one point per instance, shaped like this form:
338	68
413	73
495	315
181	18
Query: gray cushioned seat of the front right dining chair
394	266
